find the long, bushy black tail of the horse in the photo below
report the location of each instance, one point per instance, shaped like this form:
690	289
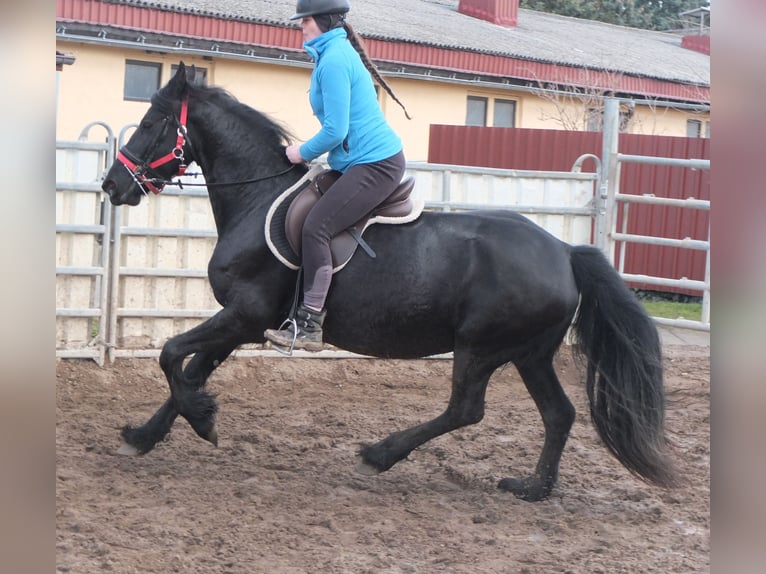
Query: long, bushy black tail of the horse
624	368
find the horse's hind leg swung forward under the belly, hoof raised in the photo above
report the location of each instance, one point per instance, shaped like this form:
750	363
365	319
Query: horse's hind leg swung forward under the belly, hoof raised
470	375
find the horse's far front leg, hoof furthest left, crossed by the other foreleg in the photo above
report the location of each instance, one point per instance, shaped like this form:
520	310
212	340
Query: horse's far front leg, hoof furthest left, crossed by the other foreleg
142	439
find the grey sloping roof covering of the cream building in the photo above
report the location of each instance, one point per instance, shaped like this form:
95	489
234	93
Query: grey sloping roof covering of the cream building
538	37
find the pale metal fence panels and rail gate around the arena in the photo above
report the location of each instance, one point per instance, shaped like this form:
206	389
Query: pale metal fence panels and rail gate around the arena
128	278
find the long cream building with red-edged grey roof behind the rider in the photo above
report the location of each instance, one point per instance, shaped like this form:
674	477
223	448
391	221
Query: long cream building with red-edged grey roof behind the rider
476	62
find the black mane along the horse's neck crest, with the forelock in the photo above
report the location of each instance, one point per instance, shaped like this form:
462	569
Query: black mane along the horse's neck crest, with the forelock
273	130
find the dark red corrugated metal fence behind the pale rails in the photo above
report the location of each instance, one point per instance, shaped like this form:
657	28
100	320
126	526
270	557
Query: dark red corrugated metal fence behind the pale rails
553	150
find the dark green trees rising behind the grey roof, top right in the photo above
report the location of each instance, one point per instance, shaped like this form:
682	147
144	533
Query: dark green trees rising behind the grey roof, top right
646	14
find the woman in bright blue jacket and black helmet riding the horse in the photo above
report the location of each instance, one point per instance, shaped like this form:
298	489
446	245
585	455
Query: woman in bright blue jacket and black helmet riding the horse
361	145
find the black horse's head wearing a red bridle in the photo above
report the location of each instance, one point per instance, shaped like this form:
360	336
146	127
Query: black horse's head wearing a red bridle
158	149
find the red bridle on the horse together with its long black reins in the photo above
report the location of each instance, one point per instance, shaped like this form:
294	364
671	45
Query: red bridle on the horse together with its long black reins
139	169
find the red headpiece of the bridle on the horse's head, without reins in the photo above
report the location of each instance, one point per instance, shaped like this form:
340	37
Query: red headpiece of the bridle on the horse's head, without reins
139	169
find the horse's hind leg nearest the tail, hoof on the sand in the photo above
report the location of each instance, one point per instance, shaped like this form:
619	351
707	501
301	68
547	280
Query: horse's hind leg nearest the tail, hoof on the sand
558	415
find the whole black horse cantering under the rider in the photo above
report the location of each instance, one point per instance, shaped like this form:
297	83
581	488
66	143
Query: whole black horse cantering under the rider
490	286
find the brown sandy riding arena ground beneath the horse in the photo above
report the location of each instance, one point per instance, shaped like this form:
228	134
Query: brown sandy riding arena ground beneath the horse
280	495
